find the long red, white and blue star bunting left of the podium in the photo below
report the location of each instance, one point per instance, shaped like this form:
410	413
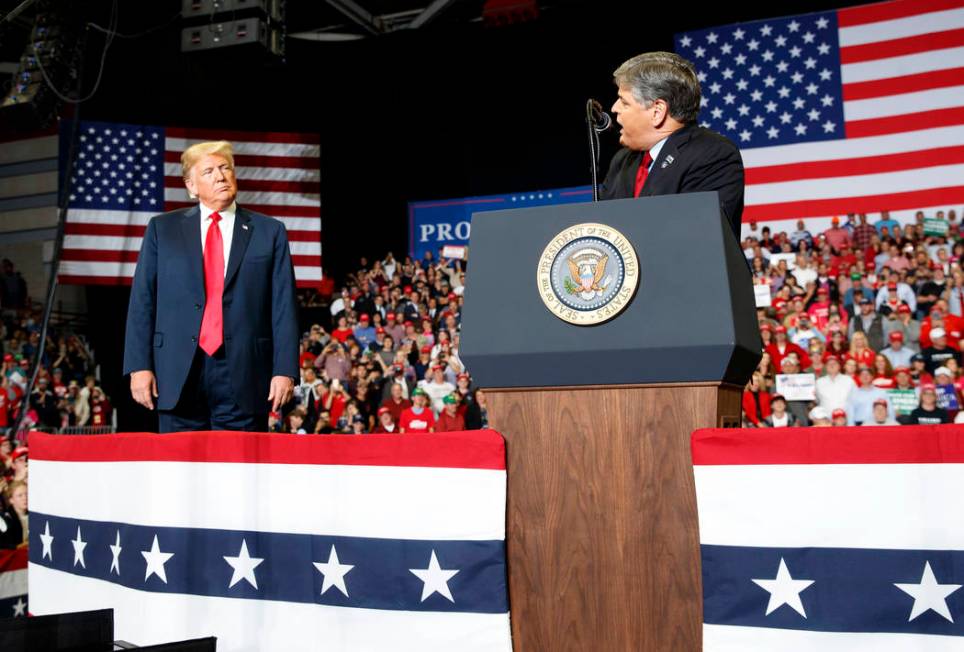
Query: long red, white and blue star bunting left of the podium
274	541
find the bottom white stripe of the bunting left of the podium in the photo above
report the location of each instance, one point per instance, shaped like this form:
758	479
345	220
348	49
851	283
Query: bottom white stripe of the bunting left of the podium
247	625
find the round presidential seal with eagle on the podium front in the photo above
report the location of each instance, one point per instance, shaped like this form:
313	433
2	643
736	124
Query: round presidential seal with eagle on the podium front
588	274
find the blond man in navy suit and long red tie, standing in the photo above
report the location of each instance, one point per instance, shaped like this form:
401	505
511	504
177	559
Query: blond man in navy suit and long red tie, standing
212	325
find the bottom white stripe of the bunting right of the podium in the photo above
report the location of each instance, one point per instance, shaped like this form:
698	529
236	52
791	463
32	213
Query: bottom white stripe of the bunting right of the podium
734	638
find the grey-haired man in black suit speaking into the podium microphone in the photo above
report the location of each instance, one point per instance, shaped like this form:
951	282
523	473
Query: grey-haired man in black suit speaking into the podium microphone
664	151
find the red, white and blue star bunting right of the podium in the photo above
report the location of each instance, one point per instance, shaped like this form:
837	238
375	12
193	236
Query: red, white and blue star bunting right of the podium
831	538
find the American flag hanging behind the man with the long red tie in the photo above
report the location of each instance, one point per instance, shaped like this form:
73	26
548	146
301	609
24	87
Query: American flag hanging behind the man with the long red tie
125	174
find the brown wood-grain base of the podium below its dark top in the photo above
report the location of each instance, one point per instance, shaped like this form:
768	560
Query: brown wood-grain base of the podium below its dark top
602	535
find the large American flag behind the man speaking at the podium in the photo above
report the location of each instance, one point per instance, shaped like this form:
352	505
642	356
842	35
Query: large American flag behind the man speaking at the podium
854	110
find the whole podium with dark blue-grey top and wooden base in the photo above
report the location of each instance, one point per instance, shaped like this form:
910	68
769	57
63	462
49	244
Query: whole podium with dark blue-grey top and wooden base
602	539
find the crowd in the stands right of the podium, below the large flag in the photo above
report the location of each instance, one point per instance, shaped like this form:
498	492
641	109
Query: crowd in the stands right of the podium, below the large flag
861	324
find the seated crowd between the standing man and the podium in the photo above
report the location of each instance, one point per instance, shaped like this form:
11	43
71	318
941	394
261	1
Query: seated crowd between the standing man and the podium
390	362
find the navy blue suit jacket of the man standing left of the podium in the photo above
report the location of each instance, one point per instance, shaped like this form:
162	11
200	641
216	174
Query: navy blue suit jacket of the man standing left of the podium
167	303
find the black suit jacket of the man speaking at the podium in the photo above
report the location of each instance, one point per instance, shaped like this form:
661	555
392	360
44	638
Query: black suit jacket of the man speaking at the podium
693	159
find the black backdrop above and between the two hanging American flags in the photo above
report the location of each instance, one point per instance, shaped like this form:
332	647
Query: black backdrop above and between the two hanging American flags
446	111
